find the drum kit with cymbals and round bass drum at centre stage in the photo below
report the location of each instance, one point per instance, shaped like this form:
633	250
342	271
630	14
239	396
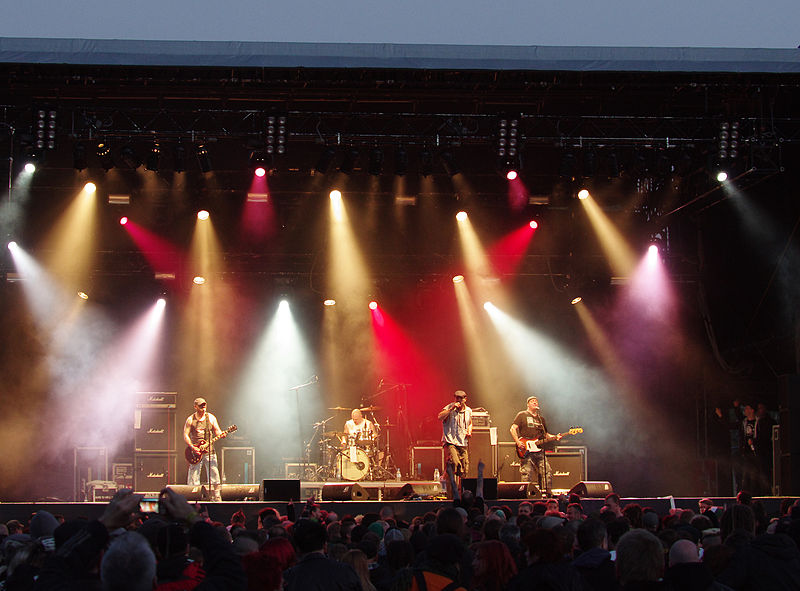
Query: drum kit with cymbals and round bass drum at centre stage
363	455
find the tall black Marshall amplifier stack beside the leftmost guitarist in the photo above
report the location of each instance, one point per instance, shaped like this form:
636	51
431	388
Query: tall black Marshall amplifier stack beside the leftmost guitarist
154	428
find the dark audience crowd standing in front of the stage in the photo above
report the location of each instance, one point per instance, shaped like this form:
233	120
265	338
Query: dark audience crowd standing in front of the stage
466	545
